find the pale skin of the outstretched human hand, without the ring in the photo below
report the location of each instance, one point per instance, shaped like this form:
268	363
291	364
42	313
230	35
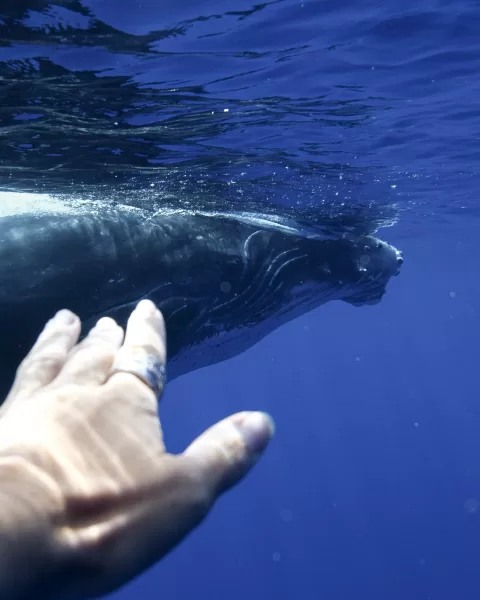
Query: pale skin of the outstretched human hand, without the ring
89	497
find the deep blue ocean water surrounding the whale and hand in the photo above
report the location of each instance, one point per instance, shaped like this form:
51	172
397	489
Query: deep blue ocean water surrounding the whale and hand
371	488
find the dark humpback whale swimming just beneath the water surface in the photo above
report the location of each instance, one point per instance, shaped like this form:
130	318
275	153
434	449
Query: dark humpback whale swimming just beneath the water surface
221	283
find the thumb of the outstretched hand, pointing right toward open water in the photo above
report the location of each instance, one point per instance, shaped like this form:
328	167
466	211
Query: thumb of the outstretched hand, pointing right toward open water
225	452
